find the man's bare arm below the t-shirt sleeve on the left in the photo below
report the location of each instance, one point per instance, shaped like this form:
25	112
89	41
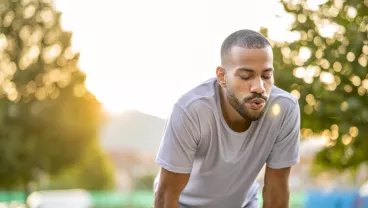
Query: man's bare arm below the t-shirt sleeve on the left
169	188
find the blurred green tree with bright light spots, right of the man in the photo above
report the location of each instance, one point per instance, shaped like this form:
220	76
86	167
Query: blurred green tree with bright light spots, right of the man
327	70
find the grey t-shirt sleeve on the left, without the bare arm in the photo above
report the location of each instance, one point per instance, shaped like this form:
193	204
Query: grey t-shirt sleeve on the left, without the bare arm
179	143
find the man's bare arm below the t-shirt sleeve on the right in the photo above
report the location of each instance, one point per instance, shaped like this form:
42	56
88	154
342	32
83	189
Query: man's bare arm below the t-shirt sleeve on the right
276	188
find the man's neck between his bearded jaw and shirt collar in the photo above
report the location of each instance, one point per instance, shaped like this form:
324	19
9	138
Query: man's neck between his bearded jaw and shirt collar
233	119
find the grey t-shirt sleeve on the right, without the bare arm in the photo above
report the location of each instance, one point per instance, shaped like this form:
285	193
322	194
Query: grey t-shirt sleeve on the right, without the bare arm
285	152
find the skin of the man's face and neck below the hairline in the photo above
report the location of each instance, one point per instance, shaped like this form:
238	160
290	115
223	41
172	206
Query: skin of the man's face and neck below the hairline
246	74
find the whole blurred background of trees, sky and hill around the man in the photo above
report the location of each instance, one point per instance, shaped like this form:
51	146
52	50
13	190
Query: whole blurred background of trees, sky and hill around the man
86	87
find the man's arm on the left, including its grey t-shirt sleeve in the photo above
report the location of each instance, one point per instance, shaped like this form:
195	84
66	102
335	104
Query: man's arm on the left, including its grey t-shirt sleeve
176	155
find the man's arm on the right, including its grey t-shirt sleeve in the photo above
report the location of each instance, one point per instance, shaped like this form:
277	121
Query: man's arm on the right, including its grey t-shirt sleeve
284	154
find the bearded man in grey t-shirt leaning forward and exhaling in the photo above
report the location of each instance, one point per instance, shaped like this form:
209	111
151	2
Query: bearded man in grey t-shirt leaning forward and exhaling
221	133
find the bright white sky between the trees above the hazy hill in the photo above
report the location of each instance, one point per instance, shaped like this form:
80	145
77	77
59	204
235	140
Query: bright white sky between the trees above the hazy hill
145	54
